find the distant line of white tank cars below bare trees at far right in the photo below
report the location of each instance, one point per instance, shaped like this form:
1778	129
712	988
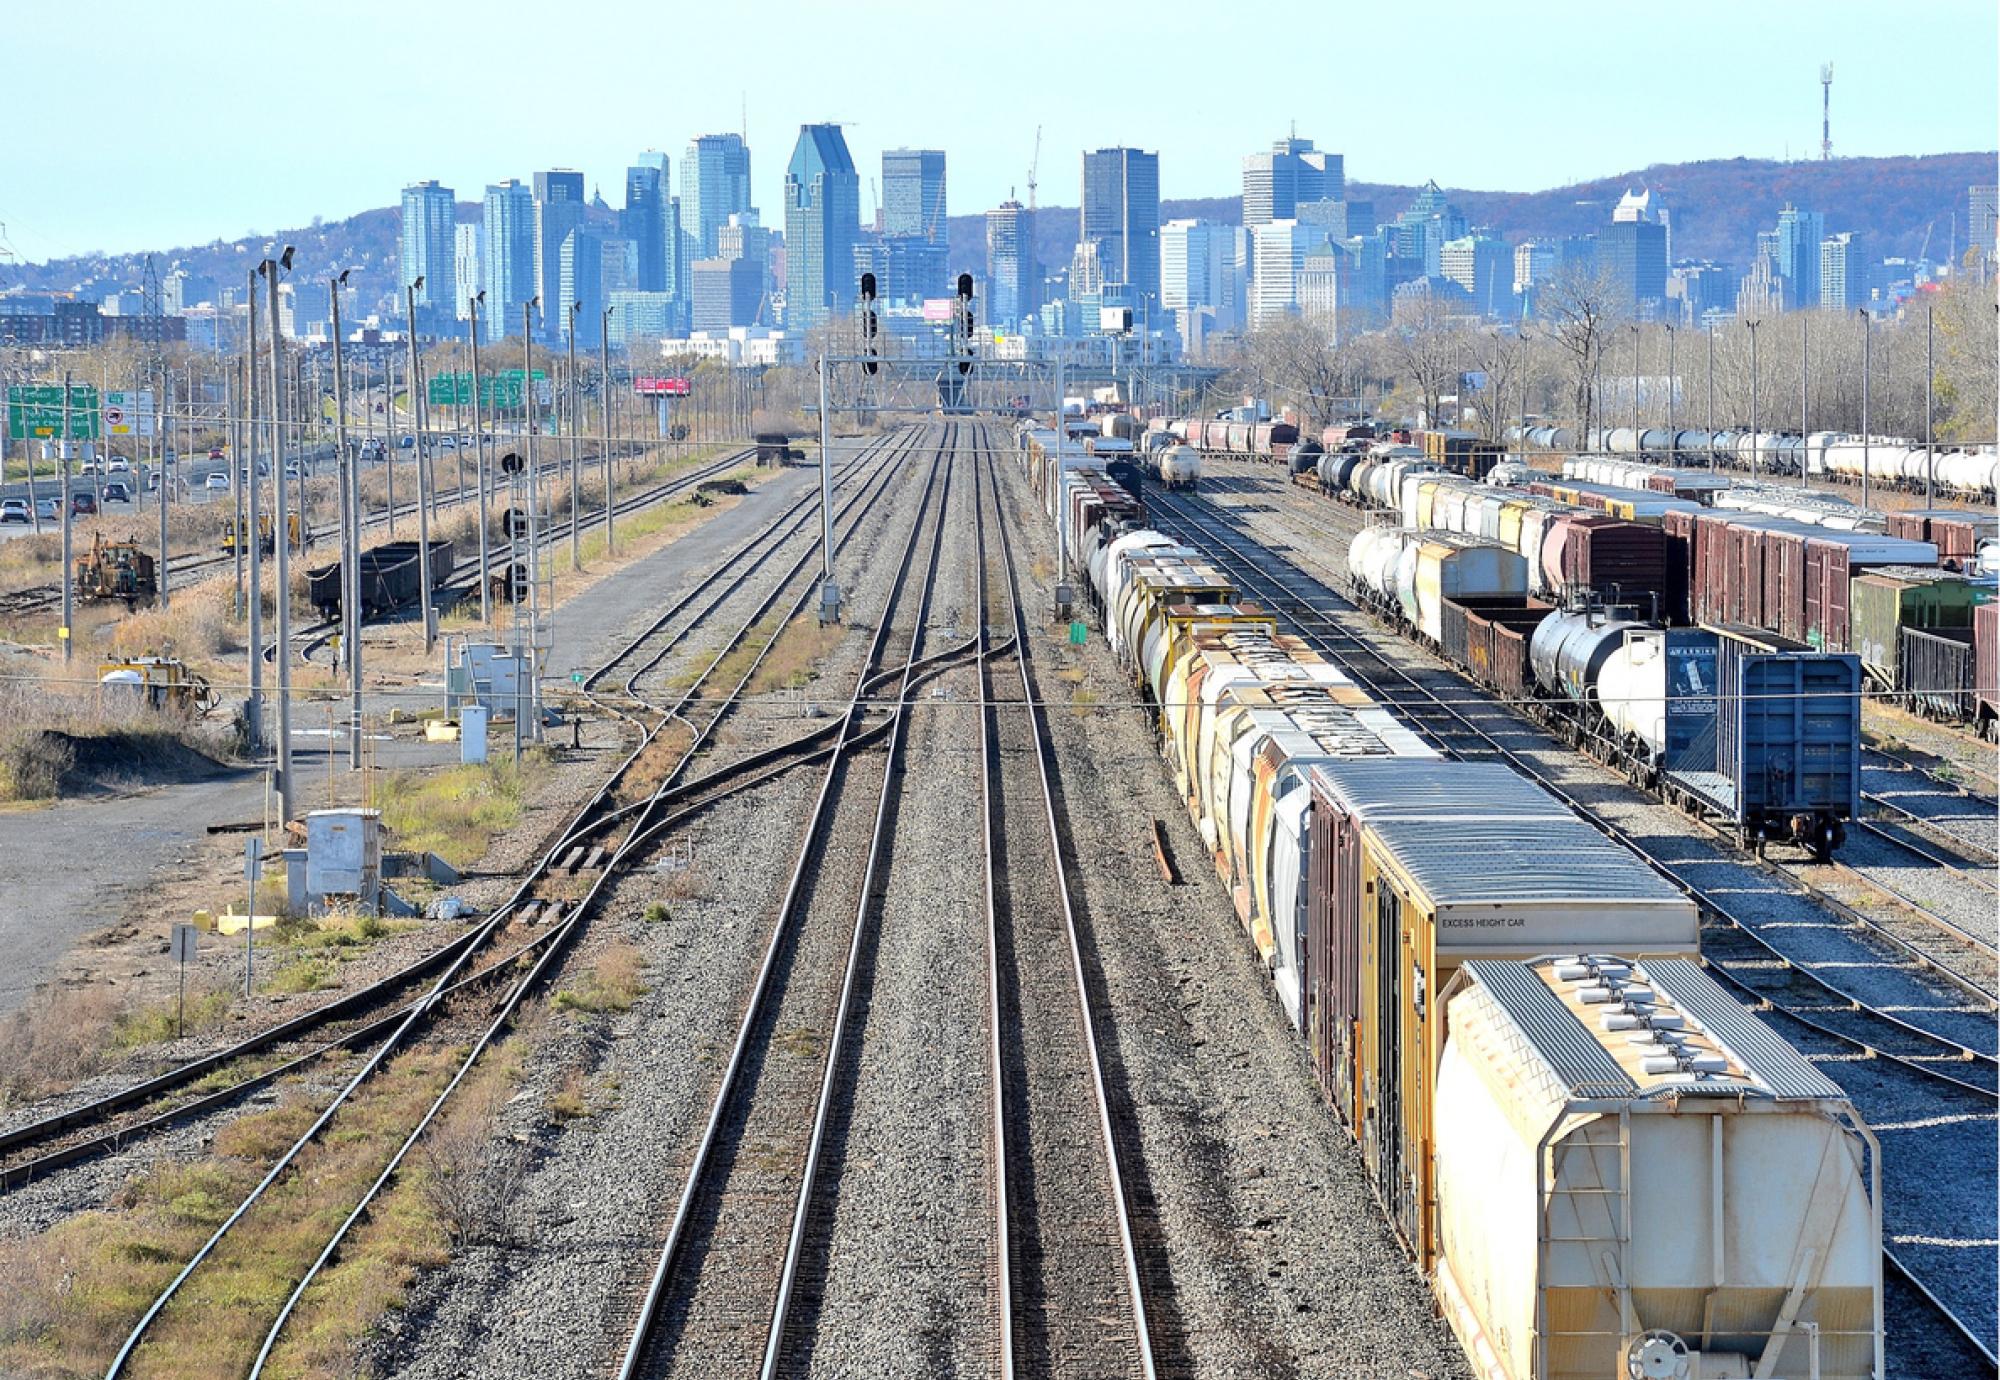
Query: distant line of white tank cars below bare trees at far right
1891	461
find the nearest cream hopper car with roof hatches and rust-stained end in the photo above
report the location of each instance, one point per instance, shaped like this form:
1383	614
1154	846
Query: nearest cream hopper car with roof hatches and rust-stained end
1637	1177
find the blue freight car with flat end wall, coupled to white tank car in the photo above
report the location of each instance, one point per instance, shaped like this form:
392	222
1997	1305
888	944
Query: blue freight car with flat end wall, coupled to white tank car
1787	743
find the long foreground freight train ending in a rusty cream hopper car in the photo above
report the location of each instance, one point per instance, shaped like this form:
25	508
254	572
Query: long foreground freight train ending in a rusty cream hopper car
1597	1157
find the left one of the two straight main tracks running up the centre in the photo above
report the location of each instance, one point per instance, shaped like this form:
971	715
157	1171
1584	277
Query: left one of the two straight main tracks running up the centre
723	1285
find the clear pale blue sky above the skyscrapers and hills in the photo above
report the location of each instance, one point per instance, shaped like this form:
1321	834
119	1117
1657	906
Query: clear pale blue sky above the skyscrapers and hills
135	125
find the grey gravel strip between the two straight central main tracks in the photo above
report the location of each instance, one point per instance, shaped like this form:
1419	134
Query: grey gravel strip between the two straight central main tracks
897	1279
